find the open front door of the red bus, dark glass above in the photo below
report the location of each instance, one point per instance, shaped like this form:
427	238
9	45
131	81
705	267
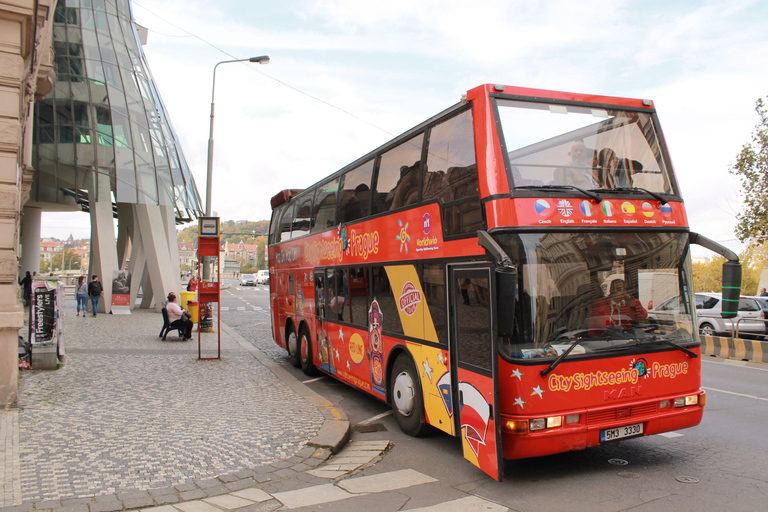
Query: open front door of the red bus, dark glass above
475	363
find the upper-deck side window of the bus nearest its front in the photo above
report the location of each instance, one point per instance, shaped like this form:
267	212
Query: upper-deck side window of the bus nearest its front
451	147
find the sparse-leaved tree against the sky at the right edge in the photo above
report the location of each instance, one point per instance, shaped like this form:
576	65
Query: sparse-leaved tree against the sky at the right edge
752	168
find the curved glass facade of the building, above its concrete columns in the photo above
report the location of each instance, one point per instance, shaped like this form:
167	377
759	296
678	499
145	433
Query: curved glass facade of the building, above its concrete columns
105	116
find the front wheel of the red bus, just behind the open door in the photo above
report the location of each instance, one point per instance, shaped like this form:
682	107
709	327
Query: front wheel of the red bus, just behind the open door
407	399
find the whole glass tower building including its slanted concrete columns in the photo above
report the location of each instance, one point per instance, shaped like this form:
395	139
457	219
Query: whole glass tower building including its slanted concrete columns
103	144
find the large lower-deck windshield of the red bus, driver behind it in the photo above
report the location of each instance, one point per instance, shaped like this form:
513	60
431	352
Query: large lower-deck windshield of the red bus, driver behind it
598	289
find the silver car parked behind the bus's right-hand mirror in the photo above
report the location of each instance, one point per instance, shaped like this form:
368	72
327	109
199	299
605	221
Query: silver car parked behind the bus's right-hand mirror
710	321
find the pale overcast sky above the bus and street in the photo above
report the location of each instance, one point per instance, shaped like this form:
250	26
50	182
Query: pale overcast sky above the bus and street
348	75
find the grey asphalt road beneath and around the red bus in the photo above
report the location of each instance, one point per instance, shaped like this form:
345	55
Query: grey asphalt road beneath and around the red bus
719	465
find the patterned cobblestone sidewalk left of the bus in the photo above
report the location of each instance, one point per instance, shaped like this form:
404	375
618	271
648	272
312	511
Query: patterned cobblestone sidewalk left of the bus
131	417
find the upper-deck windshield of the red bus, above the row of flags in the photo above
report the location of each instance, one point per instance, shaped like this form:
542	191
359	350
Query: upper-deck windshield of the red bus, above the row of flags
588	147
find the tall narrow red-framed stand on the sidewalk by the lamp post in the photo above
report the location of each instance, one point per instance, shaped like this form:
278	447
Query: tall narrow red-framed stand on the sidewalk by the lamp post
208	293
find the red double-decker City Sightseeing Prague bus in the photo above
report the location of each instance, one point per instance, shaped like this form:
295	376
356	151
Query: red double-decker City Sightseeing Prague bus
489	273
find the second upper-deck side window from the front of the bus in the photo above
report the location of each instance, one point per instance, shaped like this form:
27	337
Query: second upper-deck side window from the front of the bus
397	182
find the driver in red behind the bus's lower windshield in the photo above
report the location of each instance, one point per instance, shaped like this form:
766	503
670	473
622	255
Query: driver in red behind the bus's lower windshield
617	311
